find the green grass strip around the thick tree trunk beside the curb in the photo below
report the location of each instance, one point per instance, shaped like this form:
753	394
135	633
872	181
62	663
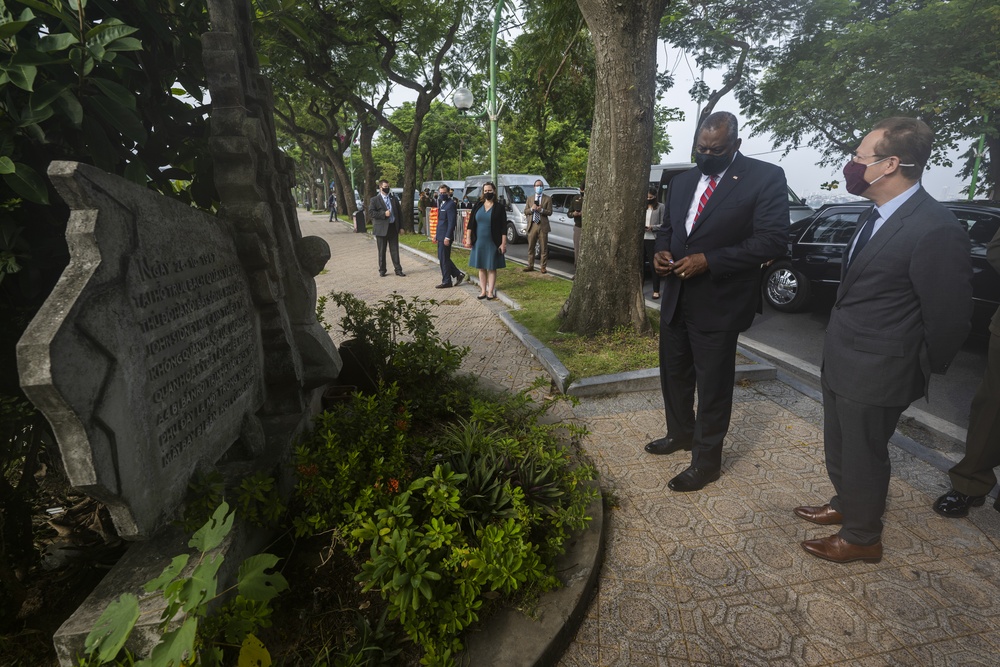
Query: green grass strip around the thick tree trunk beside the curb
540	298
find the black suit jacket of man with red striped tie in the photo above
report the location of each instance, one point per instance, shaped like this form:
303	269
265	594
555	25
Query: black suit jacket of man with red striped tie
744	224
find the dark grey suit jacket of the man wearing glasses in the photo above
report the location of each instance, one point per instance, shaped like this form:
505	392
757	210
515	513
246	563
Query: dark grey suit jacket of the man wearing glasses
903	307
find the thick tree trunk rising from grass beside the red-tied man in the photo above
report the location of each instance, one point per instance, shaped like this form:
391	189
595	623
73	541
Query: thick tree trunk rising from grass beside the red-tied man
607	290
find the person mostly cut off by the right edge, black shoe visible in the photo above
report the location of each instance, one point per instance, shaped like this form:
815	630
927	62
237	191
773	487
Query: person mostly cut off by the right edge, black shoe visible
973	477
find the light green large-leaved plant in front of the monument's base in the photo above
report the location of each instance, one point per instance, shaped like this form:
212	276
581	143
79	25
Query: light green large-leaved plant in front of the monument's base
187	602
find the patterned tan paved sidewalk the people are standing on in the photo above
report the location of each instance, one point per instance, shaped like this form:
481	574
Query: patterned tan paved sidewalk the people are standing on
717	577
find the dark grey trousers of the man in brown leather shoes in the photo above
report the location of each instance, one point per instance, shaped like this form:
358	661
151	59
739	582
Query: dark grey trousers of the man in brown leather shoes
856	443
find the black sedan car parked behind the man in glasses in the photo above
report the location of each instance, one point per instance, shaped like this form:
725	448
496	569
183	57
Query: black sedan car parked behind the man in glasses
816	245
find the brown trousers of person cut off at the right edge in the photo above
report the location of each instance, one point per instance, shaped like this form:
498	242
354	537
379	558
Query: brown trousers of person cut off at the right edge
974	475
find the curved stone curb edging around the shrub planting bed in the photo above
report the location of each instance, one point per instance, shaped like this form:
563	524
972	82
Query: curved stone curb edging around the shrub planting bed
513	639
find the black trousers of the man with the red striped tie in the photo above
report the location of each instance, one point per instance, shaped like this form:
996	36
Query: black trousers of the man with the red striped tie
706	360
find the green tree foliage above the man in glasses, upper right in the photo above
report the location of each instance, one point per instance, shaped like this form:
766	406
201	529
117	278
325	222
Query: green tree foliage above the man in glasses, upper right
854	63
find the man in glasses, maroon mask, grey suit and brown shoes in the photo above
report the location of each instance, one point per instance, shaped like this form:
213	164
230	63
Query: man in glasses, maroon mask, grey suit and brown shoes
902	312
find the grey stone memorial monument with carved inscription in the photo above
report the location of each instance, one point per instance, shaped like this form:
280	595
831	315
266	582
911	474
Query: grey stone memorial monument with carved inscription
175	340
